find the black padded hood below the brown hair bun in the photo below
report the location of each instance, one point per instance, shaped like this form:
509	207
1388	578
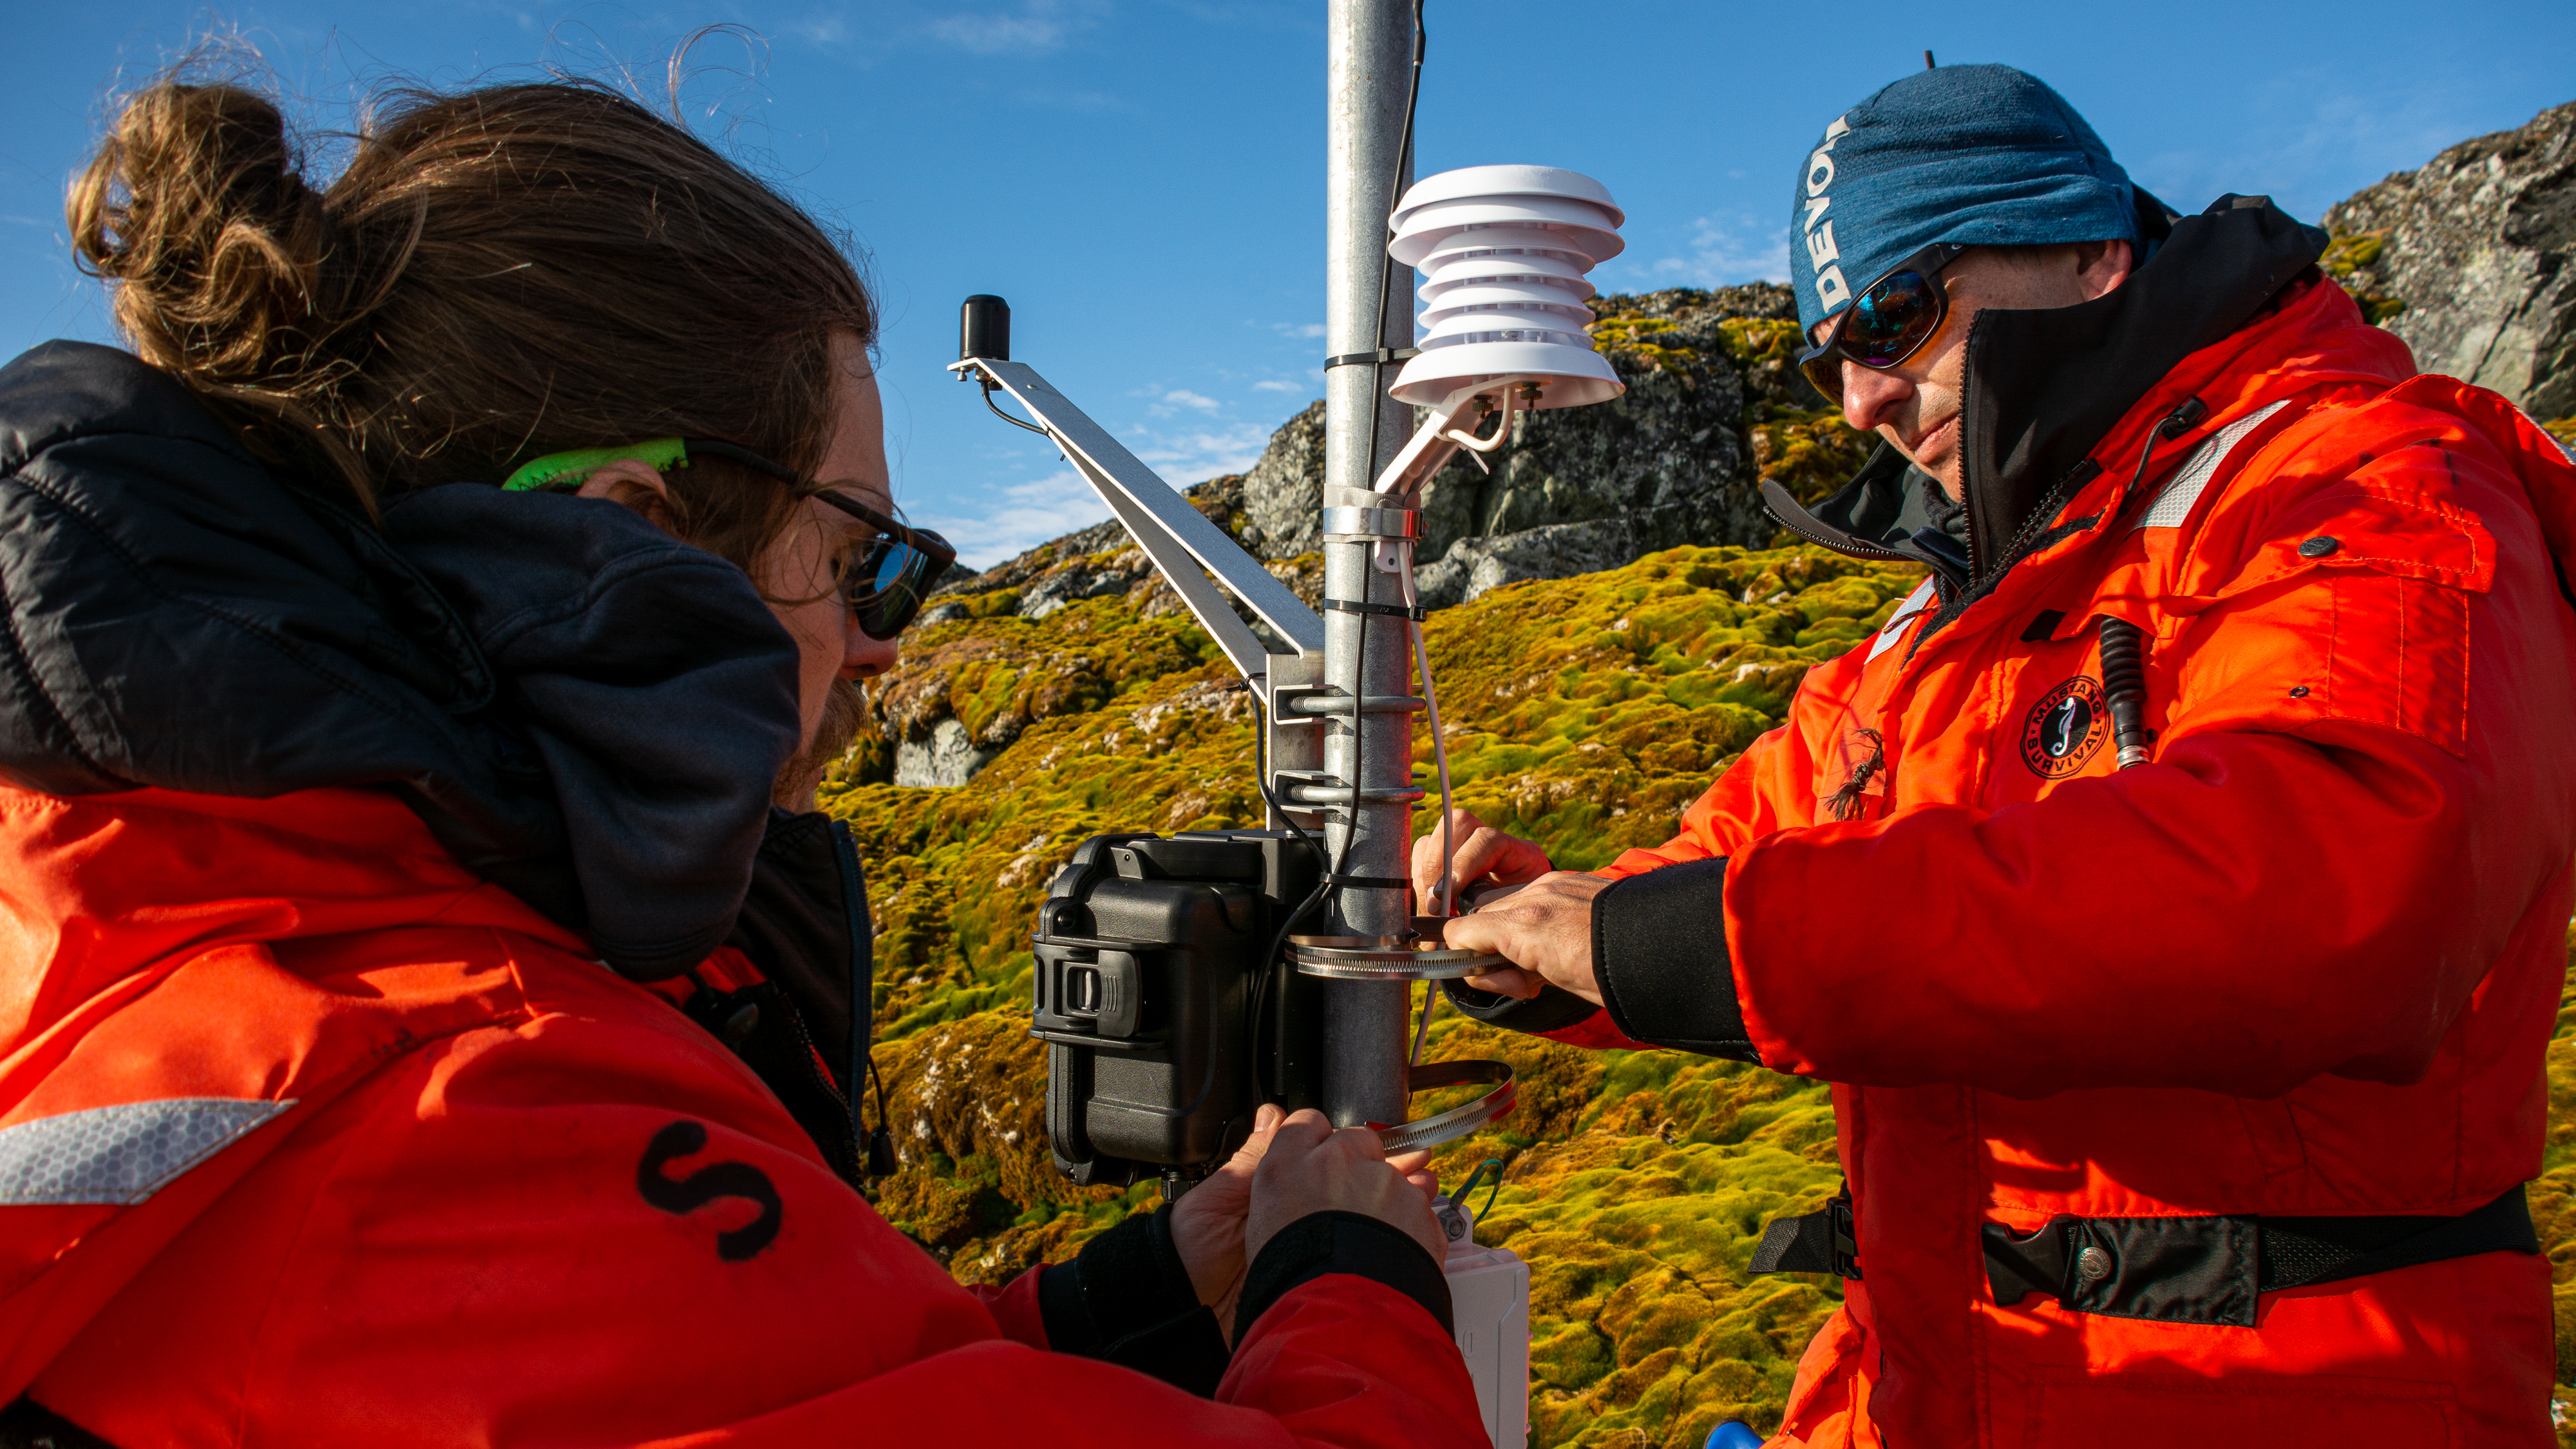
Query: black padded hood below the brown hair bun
578	708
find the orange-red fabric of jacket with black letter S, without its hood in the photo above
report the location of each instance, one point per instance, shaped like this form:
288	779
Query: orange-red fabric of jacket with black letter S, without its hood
316	1138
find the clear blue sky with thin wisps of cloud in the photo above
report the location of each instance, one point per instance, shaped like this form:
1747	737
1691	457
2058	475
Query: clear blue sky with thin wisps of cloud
1145	179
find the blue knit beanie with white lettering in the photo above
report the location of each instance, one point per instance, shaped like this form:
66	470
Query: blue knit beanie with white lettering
1967	153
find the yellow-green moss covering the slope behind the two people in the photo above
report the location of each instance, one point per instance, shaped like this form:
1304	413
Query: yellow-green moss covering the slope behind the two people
1580	713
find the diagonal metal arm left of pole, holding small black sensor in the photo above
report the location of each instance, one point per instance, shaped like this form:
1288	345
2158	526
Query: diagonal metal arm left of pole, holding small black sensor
1181	540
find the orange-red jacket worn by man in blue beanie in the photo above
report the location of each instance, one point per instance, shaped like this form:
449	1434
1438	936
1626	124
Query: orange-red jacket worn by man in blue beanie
2302	966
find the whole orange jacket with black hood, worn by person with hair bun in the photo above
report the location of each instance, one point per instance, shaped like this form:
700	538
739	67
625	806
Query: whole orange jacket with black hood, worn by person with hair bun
331	1105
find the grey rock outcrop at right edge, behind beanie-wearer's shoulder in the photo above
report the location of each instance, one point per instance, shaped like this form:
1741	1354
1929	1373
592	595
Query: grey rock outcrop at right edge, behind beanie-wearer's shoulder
2469	262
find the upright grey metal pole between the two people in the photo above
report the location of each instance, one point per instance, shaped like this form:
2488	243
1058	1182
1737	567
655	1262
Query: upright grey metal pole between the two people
1369	73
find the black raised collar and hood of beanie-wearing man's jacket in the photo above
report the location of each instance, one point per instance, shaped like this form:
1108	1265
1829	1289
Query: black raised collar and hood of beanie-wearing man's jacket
2047	385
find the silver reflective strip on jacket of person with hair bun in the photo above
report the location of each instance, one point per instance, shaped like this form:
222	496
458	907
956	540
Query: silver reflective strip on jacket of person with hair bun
120	1154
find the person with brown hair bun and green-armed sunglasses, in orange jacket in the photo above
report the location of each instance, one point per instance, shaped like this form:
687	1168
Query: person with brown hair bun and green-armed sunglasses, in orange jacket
426	1009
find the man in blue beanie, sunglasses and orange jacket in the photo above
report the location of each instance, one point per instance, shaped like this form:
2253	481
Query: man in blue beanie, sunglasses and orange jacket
2175	888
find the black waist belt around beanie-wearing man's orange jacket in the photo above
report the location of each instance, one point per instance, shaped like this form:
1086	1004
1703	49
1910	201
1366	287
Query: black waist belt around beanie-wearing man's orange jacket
2178	1270
